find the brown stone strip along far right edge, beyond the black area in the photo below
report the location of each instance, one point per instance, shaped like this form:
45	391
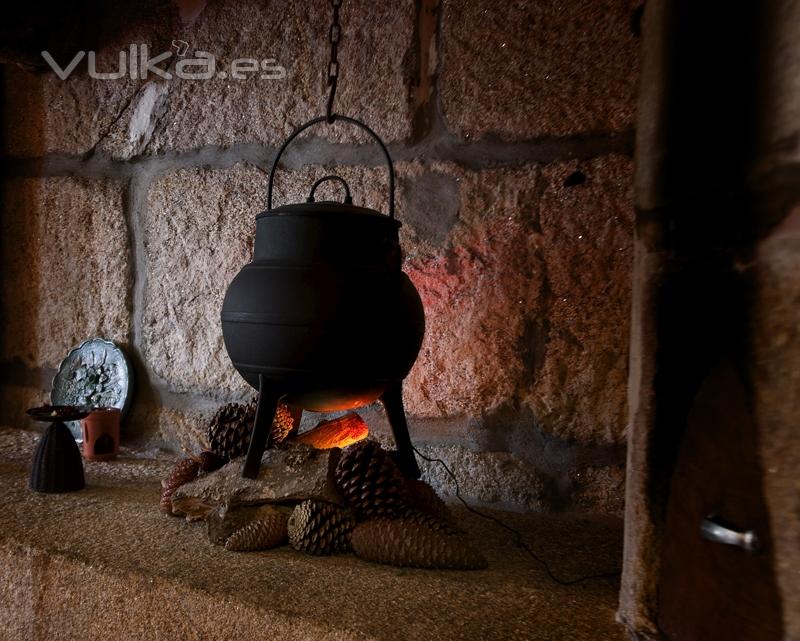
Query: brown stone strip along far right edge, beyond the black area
776	317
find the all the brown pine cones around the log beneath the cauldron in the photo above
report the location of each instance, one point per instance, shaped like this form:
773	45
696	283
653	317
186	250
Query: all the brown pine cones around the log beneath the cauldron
386	517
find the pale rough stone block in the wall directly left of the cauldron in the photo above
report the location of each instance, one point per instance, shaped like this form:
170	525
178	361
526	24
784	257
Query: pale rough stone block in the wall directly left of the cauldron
199	228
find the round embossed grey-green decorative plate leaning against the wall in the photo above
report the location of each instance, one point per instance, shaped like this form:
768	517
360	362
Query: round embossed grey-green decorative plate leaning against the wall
94	374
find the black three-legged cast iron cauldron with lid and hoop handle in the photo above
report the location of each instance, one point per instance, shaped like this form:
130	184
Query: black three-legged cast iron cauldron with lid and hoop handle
323	317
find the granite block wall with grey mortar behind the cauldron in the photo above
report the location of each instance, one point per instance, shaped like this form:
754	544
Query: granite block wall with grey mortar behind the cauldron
128	207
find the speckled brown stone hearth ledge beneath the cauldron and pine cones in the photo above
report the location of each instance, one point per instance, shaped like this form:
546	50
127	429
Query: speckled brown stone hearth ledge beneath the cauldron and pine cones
103	563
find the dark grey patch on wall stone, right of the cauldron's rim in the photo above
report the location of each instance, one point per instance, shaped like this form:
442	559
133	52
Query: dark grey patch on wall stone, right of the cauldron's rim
432	207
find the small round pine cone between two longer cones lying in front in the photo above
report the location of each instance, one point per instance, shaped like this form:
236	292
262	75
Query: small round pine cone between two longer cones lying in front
318	527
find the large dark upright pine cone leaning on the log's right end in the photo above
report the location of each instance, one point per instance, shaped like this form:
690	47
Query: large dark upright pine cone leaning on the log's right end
370	481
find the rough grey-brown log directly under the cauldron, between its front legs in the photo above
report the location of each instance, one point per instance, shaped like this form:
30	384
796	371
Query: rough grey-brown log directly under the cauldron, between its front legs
294	474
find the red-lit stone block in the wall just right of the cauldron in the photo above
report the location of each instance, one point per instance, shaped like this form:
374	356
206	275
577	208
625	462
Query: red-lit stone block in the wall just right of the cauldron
476	296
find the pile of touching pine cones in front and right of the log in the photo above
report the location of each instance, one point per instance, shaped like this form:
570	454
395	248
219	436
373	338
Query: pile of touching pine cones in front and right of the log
387	519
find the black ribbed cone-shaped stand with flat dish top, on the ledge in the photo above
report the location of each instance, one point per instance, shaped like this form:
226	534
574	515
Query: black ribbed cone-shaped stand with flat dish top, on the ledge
57	463
